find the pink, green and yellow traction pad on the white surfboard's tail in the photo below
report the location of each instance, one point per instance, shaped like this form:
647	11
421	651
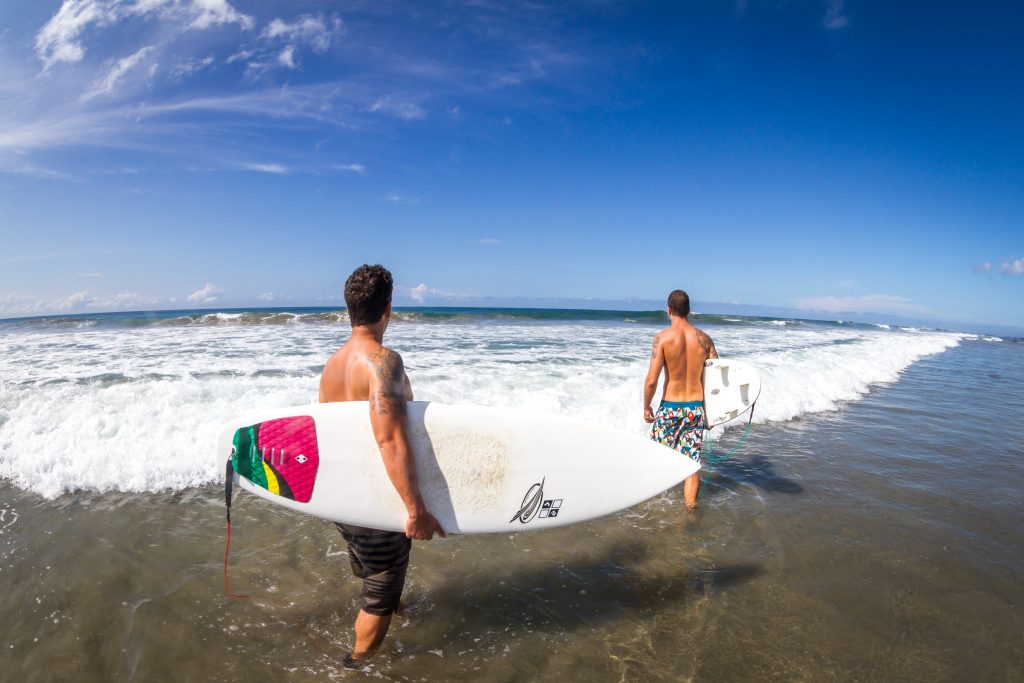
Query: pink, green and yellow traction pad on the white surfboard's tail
281	456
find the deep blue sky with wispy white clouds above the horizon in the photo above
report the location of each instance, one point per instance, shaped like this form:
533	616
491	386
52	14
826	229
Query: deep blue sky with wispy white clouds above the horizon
827	156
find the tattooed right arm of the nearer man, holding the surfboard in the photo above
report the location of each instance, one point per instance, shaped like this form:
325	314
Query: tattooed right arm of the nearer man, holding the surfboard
389	419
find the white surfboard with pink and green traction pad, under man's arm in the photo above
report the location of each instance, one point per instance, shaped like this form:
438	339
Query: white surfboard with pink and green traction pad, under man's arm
481	469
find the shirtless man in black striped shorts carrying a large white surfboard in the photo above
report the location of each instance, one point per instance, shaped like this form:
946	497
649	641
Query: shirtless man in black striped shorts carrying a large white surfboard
365	370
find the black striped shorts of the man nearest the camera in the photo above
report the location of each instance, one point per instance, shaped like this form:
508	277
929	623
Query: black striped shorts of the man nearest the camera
380	560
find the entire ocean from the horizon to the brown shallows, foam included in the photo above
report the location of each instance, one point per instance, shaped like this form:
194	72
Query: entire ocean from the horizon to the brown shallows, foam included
870	527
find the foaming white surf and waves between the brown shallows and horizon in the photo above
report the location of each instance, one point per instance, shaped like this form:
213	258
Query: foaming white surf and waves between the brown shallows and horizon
133	402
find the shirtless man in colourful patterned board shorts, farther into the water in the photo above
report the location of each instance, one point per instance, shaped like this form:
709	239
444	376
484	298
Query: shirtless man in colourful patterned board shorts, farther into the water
681	351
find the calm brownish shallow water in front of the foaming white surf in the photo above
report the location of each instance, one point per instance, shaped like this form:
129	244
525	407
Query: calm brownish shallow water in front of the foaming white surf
878	542
